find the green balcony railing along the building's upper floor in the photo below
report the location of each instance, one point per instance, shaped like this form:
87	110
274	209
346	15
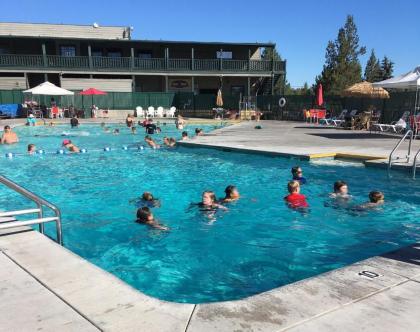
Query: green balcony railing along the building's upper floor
137	65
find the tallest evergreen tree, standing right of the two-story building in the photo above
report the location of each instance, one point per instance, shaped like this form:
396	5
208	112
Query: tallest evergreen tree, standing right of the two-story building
342	66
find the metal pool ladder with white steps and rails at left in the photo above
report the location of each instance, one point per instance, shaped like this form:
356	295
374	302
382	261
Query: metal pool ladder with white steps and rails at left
8	220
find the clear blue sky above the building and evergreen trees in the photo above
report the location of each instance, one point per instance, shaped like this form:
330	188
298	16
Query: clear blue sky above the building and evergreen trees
300	29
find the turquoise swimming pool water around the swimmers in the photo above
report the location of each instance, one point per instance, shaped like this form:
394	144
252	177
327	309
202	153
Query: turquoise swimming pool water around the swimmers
257	245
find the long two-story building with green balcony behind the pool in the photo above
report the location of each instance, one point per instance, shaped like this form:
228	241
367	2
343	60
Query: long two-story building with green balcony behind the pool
106	57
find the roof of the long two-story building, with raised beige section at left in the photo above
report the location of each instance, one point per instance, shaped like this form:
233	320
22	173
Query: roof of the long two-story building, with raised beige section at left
101	33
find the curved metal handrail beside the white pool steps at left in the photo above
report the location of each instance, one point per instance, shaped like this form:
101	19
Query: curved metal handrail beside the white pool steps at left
40	202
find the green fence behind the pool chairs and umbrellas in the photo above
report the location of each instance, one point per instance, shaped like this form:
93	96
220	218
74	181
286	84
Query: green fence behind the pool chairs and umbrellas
201	105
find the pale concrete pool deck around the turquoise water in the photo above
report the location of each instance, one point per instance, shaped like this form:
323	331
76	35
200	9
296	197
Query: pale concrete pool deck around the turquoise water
46	287
